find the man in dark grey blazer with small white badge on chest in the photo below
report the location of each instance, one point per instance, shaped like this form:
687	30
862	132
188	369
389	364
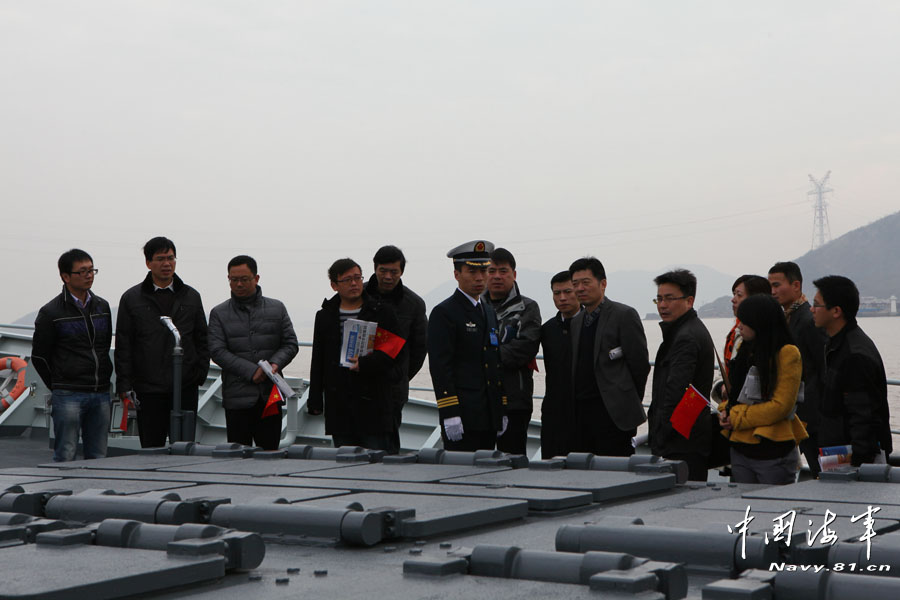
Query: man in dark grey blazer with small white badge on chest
610	364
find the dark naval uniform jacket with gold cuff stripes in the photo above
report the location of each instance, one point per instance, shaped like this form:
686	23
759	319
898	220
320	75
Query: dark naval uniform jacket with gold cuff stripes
465	363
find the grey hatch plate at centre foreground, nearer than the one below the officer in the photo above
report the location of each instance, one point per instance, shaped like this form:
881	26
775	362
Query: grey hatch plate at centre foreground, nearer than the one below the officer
436	515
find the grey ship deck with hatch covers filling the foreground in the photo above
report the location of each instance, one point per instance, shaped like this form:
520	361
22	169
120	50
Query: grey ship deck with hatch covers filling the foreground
434	518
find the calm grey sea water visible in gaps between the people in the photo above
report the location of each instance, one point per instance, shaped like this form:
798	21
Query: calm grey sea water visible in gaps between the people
884	331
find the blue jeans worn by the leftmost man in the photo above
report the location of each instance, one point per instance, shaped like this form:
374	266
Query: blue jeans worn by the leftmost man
84	412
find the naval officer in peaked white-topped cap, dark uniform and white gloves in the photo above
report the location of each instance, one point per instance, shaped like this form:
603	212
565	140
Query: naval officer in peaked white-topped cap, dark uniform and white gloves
463	356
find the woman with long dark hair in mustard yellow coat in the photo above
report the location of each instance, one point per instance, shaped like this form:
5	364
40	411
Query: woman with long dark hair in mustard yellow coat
761	422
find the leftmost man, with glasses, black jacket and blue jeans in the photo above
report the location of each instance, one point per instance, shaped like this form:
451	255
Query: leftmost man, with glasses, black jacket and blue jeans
70	350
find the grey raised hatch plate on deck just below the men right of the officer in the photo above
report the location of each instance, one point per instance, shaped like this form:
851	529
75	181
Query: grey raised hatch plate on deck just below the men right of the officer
604	485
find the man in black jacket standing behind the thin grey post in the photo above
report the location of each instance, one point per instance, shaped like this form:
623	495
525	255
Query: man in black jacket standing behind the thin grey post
144	345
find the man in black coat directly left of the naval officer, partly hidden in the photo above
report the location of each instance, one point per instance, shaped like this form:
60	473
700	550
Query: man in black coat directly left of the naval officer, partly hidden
386	285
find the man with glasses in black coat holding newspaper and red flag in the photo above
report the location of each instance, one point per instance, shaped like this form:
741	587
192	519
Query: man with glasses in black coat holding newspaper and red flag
356	400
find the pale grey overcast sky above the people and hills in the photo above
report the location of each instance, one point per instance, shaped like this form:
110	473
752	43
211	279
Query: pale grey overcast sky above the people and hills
645	133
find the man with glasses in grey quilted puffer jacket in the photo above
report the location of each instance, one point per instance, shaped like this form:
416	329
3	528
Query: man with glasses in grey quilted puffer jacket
242	331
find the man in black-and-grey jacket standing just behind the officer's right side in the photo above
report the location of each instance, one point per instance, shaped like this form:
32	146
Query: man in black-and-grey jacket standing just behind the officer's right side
519	328
